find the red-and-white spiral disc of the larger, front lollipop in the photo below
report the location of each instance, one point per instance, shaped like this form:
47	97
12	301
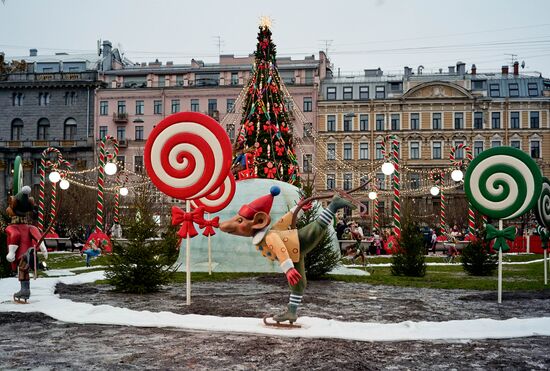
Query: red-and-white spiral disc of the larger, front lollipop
188	155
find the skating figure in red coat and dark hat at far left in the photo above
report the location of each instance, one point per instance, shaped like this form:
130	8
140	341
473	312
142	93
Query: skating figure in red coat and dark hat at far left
22	238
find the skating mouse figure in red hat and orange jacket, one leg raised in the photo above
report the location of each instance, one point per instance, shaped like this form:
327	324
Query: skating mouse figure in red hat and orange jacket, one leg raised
288	246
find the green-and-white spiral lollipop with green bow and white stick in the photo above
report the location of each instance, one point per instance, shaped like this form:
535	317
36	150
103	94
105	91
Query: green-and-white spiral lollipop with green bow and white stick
502	183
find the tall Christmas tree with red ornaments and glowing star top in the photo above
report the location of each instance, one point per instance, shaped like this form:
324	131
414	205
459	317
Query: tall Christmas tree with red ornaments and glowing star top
264	147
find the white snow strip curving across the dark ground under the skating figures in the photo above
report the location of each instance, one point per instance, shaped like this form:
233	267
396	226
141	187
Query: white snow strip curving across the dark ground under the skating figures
44	300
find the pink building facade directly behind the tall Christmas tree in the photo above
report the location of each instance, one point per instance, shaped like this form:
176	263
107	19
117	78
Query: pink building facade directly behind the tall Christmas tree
136	98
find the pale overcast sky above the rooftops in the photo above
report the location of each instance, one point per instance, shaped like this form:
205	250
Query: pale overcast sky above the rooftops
358	34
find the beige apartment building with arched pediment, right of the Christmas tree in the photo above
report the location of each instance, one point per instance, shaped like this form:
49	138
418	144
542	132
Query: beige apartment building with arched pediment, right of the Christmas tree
427	114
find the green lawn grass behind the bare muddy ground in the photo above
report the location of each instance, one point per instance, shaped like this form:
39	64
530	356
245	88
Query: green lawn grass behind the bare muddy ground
522	277
